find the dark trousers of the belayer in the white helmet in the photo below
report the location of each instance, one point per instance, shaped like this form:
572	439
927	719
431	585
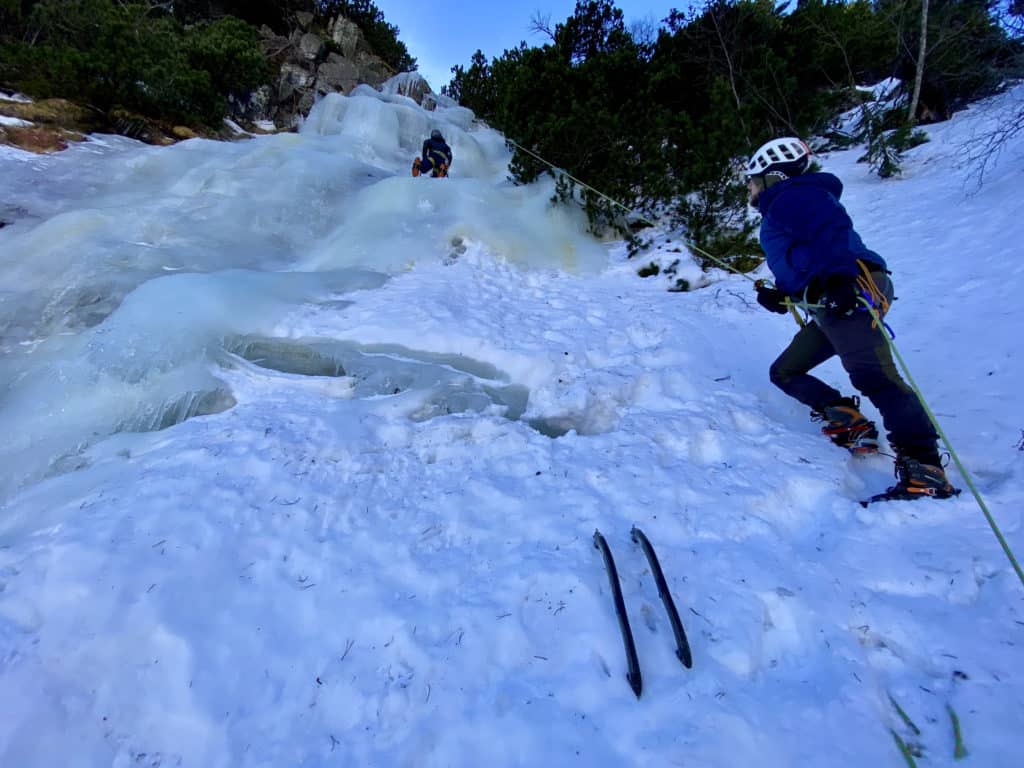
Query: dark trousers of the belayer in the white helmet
866	356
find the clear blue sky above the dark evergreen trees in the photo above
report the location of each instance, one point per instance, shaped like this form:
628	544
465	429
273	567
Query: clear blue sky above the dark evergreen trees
444	33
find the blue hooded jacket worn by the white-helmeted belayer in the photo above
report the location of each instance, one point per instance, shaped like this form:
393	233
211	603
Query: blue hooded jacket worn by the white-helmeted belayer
807	235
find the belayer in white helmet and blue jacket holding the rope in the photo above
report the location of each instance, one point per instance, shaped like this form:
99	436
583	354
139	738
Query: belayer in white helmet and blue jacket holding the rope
819	260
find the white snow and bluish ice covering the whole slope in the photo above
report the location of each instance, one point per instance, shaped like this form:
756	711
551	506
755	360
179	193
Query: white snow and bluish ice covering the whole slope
304	460
